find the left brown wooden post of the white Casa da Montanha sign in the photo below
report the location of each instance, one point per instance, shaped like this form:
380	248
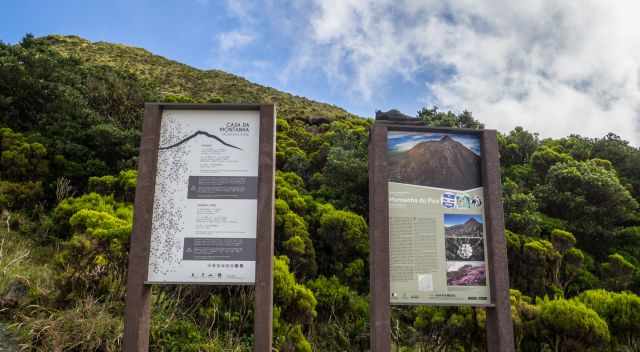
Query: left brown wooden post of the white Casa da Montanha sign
138	298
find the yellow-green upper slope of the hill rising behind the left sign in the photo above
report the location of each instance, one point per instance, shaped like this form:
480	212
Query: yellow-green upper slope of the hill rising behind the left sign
173	79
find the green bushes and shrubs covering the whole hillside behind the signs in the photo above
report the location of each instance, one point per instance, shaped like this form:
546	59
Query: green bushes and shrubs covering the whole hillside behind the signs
70	117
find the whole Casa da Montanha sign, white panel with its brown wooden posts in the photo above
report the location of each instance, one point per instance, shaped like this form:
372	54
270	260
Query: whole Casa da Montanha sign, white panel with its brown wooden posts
203	208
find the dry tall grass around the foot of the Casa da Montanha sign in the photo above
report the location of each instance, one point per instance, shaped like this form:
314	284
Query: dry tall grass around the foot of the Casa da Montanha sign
189	320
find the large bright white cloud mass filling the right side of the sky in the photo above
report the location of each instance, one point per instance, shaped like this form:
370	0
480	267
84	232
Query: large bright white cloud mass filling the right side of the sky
555	67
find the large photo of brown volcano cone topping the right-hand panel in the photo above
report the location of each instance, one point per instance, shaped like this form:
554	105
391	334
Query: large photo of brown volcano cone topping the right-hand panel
443	160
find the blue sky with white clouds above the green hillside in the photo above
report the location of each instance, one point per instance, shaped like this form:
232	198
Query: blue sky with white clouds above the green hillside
553	67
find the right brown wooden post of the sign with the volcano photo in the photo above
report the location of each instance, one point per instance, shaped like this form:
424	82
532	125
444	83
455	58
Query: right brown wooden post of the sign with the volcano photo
499	323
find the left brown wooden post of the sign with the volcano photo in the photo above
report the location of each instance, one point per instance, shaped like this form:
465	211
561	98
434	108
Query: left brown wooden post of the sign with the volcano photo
379	283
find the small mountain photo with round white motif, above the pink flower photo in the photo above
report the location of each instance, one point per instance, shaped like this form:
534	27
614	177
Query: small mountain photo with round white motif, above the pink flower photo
463	237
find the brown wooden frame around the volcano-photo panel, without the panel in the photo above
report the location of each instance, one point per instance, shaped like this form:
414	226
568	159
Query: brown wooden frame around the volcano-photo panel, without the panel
499	323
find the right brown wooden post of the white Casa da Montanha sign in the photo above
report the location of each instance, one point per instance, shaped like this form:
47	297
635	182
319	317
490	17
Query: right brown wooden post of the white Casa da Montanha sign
264	252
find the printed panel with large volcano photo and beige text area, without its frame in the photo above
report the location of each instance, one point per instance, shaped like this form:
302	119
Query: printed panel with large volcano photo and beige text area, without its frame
437	241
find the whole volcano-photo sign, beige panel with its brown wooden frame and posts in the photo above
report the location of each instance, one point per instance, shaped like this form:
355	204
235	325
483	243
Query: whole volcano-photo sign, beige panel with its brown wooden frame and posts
436	226
